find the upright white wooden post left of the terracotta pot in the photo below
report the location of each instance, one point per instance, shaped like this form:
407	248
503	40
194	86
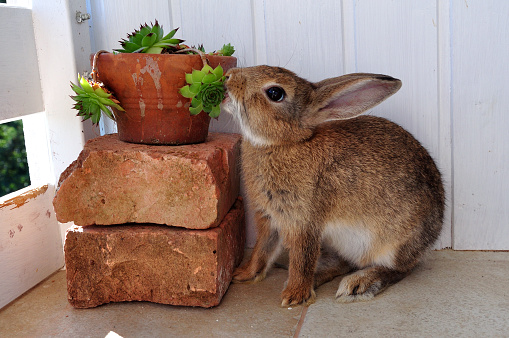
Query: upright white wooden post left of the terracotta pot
55	50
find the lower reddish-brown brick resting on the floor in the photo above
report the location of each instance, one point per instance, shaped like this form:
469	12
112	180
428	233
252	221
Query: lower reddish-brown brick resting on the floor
153	263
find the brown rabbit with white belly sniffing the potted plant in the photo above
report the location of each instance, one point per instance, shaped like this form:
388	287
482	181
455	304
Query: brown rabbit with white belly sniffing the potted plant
342	192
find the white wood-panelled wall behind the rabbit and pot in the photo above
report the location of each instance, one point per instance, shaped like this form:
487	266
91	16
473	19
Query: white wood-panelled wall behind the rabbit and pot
452	57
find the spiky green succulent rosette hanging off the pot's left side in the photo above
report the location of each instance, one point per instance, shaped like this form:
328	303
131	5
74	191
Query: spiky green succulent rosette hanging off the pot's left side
92	99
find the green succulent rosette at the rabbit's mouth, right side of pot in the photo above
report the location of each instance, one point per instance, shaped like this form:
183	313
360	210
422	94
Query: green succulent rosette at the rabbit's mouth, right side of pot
205	89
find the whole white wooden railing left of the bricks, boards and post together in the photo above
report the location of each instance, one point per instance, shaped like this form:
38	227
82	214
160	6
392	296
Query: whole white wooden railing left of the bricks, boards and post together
48	54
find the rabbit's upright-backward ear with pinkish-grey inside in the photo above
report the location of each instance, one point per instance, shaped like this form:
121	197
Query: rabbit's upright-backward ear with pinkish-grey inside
348	96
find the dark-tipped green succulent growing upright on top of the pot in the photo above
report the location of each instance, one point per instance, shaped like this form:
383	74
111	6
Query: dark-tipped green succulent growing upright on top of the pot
148	39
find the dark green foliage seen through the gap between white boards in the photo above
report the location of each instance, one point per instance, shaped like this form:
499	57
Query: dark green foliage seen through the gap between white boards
14	173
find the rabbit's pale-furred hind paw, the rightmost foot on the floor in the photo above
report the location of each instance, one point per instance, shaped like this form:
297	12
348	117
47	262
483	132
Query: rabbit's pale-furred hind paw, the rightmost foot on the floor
358	286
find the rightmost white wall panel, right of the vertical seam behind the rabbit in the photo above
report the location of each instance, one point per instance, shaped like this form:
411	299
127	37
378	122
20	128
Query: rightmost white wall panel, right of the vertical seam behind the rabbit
480	73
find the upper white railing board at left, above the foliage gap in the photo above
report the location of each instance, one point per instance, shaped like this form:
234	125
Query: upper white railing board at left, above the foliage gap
20	88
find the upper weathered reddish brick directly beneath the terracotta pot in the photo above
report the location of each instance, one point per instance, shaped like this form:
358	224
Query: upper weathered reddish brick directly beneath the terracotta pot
114	182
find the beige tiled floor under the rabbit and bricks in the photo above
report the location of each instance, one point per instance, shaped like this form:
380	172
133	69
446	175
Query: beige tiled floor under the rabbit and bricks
463	294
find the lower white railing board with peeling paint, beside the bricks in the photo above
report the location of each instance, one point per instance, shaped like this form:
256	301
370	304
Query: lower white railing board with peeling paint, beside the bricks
30	242
